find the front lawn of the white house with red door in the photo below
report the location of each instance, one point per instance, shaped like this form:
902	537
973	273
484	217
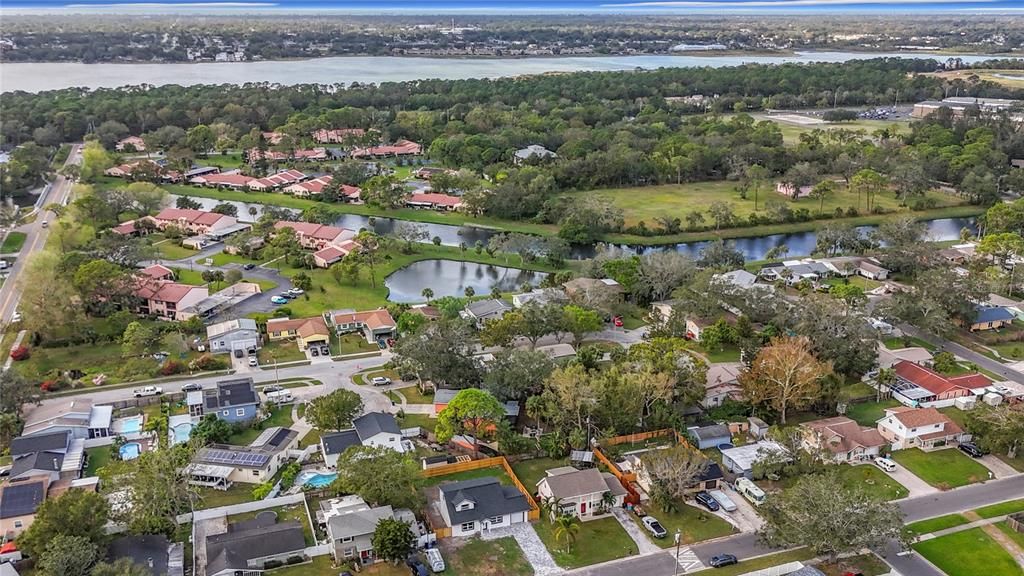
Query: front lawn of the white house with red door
598	542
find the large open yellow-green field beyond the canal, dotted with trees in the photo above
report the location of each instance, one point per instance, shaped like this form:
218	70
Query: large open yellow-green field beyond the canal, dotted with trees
648	203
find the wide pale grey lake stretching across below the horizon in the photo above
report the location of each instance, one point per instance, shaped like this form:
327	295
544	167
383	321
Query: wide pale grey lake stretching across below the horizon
36	77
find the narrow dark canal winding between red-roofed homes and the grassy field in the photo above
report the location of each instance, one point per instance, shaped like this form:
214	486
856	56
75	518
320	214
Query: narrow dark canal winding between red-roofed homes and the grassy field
754	248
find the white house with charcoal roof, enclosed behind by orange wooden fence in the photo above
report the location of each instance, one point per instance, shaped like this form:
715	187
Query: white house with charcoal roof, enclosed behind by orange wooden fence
480	505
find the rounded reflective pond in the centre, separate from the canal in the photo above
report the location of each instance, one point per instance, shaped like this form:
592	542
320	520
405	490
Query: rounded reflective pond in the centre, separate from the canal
451	278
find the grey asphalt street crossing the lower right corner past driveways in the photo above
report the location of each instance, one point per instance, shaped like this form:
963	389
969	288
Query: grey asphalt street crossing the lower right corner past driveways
747	546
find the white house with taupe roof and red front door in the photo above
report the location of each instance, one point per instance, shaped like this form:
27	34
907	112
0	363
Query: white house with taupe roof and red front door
582	493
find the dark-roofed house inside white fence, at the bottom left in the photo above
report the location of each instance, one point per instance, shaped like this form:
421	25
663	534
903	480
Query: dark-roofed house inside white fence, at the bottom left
248	547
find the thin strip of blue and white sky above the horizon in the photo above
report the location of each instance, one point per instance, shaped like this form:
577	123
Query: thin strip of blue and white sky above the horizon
531	7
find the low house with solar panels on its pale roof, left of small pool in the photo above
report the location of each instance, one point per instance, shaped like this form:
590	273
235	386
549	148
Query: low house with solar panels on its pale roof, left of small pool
221	466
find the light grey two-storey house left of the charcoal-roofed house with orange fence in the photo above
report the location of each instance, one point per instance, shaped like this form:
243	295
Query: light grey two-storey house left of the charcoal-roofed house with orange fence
351	524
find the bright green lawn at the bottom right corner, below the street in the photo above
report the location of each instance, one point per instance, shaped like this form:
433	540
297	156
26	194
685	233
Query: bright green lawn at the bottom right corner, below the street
968	554
